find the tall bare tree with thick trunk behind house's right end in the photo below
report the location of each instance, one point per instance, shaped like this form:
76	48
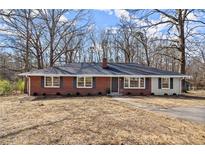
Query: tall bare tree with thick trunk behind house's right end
177	29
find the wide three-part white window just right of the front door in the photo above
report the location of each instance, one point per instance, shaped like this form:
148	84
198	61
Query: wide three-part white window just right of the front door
134	83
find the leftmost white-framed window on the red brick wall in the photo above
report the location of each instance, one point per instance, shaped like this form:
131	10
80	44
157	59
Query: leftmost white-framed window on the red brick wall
52	81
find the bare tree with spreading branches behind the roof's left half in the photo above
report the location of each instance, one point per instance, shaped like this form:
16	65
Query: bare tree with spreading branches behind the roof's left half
59	27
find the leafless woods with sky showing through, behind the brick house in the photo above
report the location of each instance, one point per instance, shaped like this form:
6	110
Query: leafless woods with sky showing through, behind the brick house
171	40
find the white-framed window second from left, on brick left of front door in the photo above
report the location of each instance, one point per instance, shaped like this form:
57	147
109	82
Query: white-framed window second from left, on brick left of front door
84	82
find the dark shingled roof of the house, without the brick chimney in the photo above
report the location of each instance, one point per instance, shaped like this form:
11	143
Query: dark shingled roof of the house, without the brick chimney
95	69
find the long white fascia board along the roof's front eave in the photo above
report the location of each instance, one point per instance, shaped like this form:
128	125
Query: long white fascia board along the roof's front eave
102	75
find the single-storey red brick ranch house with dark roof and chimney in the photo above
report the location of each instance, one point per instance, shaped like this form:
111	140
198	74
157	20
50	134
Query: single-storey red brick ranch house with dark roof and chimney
103	78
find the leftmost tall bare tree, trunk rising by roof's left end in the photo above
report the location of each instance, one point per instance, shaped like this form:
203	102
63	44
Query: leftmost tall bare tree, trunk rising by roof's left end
18	31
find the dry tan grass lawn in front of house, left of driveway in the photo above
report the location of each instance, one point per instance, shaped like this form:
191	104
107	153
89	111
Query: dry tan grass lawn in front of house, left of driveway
90	120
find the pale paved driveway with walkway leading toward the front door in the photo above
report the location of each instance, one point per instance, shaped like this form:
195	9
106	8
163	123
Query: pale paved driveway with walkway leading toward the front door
191	113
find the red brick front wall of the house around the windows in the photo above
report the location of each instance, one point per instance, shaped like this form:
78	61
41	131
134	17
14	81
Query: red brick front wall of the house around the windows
102	84
